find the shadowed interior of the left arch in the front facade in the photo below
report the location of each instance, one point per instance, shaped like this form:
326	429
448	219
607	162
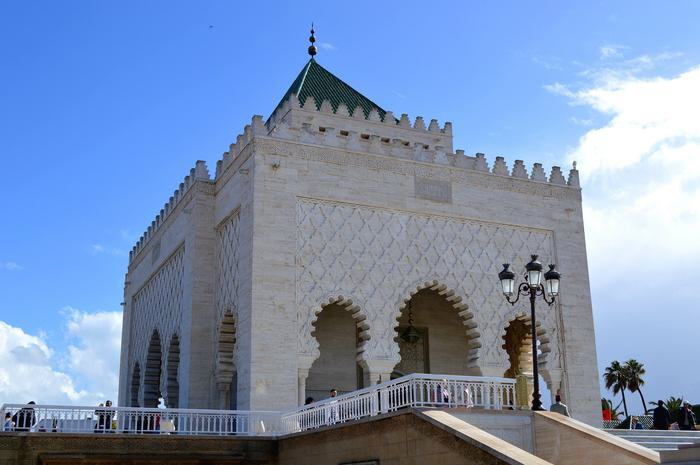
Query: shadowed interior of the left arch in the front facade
336	367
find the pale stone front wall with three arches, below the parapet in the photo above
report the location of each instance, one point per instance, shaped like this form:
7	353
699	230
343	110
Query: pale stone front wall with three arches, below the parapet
333	224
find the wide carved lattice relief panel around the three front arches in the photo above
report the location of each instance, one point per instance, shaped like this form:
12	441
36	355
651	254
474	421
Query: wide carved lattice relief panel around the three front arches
377	257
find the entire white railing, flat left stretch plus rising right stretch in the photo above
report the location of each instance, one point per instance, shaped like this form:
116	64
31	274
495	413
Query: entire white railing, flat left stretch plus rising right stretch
415	390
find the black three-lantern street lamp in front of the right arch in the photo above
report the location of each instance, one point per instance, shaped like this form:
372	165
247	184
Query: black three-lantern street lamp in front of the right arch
533	287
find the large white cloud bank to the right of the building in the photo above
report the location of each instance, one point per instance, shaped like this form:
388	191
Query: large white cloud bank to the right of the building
641	187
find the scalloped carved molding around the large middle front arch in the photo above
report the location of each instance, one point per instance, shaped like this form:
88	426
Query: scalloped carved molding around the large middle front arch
458	303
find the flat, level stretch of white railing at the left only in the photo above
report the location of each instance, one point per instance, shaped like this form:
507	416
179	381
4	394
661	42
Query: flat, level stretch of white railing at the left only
136	420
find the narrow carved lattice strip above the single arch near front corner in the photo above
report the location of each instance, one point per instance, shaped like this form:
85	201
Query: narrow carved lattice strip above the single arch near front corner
227	284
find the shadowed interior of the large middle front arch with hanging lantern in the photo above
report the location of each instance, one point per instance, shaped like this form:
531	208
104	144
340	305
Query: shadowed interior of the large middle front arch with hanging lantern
443	345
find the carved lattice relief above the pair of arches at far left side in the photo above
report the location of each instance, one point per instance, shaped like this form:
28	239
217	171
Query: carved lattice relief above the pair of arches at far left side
156	306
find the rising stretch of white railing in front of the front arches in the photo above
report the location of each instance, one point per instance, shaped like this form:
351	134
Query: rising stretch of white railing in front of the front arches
415	390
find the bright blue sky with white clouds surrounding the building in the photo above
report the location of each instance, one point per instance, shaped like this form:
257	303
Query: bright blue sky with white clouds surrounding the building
104	107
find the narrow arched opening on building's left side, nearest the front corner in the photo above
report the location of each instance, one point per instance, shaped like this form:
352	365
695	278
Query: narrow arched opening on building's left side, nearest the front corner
226	378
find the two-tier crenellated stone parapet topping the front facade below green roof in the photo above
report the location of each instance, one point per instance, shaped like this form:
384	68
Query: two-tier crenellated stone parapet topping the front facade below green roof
396	137
